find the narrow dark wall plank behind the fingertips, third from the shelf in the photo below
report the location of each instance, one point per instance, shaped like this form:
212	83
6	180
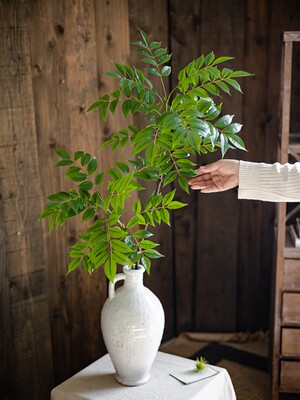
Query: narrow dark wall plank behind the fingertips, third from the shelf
185	43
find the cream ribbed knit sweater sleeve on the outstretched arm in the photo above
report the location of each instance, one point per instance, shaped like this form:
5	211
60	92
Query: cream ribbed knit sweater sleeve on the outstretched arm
269	182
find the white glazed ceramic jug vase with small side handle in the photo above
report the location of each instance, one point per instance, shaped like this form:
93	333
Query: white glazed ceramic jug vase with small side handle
132	323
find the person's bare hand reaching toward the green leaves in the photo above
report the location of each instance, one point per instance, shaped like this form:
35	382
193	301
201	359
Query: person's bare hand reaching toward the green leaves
216	177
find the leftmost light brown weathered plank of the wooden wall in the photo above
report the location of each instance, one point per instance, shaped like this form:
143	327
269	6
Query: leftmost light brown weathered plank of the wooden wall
28	348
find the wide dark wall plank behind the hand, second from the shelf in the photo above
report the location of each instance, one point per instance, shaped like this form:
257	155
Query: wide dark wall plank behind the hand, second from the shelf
218	214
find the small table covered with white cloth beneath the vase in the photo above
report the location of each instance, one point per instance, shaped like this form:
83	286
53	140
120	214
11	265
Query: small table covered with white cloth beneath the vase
97	382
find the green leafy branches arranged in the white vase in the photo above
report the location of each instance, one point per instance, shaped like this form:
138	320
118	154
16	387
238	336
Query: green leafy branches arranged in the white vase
182	122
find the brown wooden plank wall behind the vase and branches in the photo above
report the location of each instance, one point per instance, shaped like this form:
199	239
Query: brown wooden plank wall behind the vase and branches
216	275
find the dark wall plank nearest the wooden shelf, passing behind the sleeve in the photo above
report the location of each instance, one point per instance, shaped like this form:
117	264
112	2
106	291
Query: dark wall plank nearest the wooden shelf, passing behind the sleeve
251	225
